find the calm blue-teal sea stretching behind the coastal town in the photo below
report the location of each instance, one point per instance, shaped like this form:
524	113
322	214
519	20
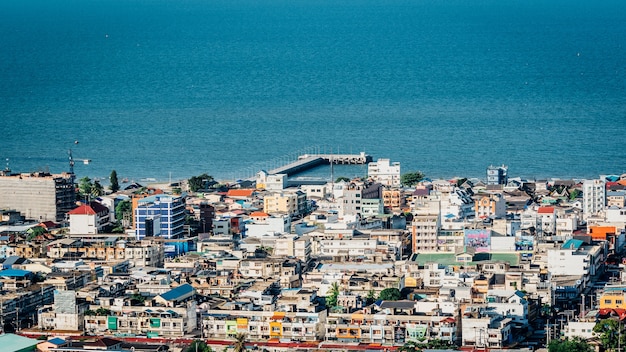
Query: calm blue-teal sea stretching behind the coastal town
168	89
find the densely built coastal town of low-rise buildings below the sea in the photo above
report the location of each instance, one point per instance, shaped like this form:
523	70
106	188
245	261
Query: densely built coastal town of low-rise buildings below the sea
391	261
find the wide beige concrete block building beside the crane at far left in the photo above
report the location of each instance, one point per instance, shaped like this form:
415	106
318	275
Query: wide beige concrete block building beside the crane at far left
40	196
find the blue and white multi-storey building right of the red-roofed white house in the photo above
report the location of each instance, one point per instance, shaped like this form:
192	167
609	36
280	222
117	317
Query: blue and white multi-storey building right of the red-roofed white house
159	215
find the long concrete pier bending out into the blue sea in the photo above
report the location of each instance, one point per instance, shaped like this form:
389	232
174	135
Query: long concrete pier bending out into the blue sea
308	161
